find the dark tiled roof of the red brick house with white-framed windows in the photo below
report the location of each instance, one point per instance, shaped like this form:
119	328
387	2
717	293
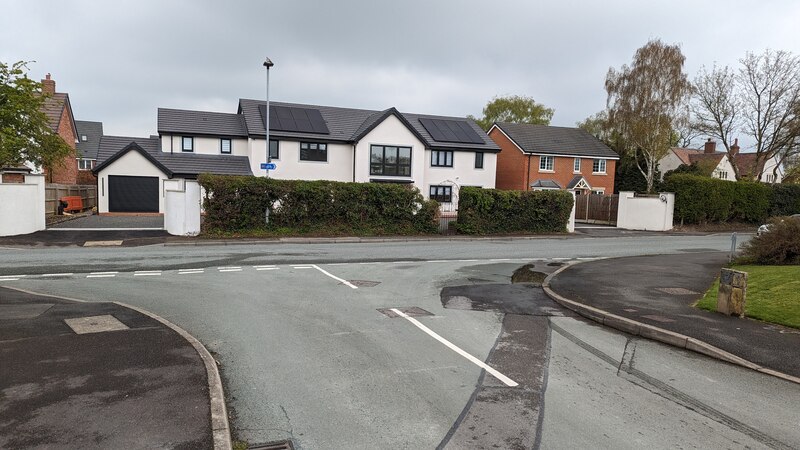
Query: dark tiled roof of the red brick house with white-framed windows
547	140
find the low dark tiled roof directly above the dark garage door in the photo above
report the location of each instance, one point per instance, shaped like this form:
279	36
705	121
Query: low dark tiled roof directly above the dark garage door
185	165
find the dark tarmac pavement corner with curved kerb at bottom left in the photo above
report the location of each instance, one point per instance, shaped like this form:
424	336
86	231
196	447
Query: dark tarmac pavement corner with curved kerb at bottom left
99	375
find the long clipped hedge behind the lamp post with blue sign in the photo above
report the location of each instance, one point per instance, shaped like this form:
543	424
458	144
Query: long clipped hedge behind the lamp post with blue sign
238	204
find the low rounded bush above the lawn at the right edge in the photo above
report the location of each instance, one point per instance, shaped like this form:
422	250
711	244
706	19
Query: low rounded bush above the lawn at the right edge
778	246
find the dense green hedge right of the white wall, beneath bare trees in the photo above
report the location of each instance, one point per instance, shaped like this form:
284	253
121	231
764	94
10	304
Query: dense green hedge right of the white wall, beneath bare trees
701	199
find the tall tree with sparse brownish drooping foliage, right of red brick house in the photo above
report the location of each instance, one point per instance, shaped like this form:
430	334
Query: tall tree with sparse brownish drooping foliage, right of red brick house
646	103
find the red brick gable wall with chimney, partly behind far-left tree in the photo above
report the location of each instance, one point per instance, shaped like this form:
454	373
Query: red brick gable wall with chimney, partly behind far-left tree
58	110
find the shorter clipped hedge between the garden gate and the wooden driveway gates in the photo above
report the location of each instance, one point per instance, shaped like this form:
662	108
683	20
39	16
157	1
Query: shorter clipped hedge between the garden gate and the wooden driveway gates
487	211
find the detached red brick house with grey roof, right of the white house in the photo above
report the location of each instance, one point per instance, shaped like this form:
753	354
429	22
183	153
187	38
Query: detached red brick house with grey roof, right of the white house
536	157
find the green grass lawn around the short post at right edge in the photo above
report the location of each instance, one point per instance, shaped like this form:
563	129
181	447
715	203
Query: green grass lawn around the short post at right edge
773	294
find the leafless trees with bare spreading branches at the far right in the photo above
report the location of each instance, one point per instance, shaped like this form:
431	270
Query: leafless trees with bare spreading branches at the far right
761	100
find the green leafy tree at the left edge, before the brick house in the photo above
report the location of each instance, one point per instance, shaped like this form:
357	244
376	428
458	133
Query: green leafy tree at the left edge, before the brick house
25	134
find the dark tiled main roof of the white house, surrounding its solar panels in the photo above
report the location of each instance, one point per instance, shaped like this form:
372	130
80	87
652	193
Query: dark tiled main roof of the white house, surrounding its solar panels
348	125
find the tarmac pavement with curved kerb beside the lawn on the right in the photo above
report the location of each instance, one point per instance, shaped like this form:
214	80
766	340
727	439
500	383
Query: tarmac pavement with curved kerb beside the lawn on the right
652	296
